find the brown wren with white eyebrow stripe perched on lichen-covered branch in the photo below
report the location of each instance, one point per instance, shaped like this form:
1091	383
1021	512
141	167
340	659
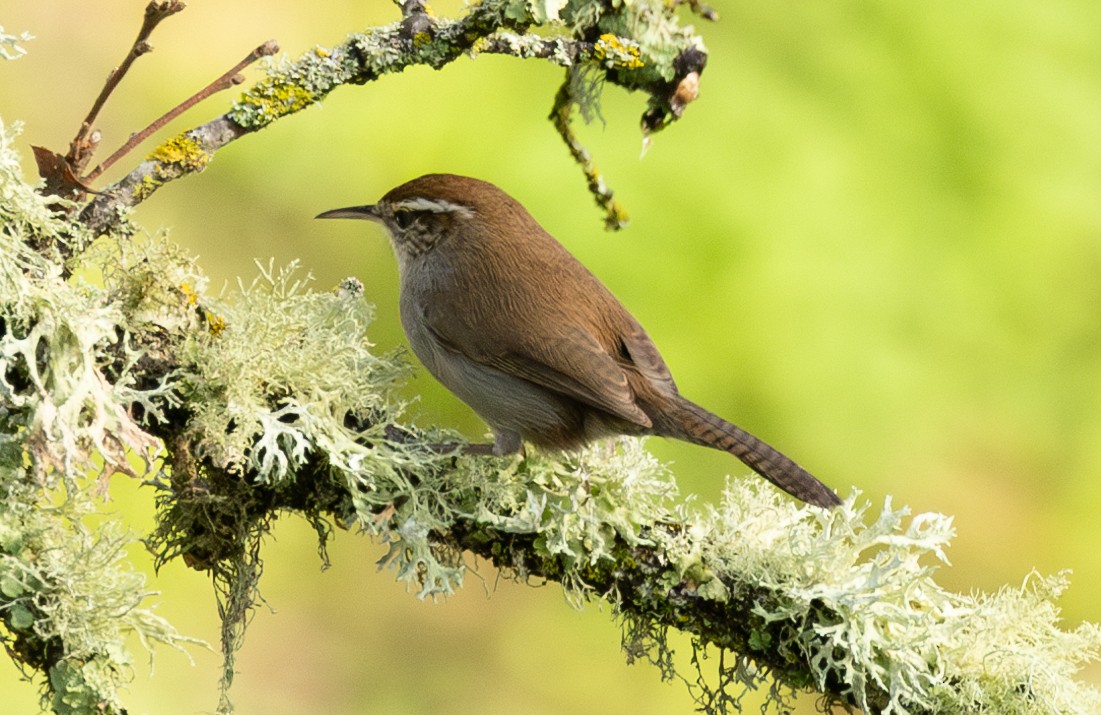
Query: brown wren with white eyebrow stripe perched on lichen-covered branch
520	331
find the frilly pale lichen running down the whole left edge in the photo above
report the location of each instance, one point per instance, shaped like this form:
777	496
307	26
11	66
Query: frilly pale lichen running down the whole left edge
69	600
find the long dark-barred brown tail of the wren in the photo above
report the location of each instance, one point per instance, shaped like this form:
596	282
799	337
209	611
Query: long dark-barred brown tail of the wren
693	424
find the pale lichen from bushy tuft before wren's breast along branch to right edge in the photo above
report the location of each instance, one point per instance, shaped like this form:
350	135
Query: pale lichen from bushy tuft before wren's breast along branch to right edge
874	619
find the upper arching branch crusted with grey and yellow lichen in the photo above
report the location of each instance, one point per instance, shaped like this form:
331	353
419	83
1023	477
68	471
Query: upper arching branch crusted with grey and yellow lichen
638	46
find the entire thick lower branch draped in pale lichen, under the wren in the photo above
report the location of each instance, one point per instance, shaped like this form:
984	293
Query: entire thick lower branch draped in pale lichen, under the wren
271	402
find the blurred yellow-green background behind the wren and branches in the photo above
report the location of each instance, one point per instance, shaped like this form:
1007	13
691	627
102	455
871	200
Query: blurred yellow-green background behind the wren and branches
876	241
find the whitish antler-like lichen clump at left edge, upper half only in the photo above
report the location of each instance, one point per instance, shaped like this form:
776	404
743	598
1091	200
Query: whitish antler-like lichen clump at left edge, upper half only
54	331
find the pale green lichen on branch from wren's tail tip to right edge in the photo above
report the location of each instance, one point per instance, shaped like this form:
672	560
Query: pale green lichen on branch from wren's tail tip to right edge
878	621
